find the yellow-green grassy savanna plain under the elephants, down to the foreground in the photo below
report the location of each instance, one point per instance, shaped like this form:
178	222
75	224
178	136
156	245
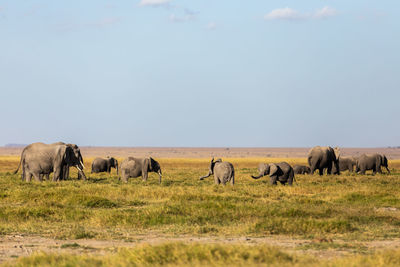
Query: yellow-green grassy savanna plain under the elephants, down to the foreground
345	220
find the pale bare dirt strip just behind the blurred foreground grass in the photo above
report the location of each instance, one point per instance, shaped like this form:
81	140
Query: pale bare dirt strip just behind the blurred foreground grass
13	246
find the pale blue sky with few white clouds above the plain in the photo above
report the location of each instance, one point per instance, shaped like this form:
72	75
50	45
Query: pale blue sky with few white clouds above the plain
200	73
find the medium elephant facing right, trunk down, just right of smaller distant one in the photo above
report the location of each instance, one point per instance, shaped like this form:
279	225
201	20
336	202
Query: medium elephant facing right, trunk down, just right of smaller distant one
135	167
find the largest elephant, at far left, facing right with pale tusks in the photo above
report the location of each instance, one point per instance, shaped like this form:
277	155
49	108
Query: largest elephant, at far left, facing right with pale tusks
39	159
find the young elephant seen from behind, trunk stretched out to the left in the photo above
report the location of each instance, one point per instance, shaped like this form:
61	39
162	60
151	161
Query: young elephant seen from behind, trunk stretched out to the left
223	172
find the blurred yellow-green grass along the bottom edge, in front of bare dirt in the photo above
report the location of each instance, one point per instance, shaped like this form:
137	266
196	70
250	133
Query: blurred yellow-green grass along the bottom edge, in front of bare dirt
179	254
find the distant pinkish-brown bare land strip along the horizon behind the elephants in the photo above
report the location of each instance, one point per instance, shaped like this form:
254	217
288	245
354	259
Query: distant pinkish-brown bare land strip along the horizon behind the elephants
195	152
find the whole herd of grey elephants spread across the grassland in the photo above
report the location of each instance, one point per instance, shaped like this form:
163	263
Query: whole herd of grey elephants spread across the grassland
39	160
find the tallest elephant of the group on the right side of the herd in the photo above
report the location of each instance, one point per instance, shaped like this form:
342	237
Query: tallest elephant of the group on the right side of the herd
320	158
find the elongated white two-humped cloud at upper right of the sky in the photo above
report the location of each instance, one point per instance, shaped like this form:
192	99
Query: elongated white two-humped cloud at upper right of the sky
292	14
